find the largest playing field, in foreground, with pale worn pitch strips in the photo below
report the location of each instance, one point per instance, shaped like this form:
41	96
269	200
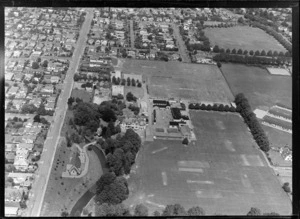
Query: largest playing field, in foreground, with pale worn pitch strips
222	172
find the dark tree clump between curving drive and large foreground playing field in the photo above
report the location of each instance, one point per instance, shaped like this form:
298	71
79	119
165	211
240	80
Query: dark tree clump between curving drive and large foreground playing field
121	152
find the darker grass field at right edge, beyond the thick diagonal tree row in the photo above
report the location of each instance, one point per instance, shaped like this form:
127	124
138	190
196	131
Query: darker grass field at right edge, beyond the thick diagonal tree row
262	89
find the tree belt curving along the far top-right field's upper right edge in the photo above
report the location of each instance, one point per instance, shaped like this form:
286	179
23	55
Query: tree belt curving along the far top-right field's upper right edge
267	26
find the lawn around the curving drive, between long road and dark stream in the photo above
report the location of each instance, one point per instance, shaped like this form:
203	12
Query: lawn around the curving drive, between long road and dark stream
63	193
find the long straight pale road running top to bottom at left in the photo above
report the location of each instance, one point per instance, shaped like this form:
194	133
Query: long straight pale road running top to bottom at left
50	145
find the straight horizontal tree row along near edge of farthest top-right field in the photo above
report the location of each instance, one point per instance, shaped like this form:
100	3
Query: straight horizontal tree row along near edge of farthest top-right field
245	59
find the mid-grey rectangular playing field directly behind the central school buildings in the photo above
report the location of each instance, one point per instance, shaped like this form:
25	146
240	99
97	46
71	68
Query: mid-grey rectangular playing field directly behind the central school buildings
181	80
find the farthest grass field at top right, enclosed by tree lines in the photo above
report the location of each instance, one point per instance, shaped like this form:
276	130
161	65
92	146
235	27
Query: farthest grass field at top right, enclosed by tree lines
241	37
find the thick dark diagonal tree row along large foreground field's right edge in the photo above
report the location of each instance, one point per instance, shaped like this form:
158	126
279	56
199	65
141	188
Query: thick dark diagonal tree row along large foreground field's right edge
243	107
